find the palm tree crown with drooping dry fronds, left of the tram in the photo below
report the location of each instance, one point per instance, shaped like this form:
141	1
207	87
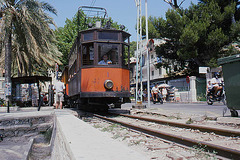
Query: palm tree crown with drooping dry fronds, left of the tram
26	36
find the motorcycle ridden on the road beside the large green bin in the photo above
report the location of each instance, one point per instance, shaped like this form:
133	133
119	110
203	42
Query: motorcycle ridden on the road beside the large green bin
211	97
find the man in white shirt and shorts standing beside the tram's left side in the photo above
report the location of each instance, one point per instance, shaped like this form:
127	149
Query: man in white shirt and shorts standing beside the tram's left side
59	88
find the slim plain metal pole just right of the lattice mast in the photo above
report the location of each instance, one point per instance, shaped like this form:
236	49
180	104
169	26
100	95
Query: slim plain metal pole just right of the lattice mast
148	71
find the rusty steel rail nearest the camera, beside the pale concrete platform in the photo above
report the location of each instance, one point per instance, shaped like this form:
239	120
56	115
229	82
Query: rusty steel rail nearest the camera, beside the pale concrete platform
220	150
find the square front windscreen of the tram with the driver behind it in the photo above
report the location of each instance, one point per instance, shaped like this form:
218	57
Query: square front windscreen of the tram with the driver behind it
108	54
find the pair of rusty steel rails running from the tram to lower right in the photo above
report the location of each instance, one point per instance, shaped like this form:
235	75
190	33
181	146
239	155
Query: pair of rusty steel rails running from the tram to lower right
218	149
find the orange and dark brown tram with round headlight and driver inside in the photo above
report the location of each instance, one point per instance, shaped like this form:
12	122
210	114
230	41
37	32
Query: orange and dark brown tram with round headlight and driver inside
93	82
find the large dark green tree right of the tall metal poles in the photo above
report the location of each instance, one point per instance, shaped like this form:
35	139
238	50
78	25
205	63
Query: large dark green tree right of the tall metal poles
197	36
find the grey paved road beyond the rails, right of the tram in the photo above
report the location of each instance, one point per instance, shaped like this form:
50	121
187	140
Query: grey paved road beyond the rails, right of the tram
200	109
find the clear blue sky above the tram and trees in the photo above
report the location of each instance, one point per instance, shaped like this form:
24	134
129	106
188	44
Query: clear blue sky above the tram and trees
122	11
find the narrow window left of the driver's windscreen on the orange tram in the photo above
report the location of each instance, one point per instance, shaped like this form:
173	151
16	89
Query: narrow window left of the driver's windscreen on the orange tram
88	54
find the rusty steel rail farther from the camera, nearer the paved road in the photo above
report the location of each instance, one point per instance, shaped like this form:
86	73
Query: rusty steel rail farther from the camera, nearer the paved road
224	132
